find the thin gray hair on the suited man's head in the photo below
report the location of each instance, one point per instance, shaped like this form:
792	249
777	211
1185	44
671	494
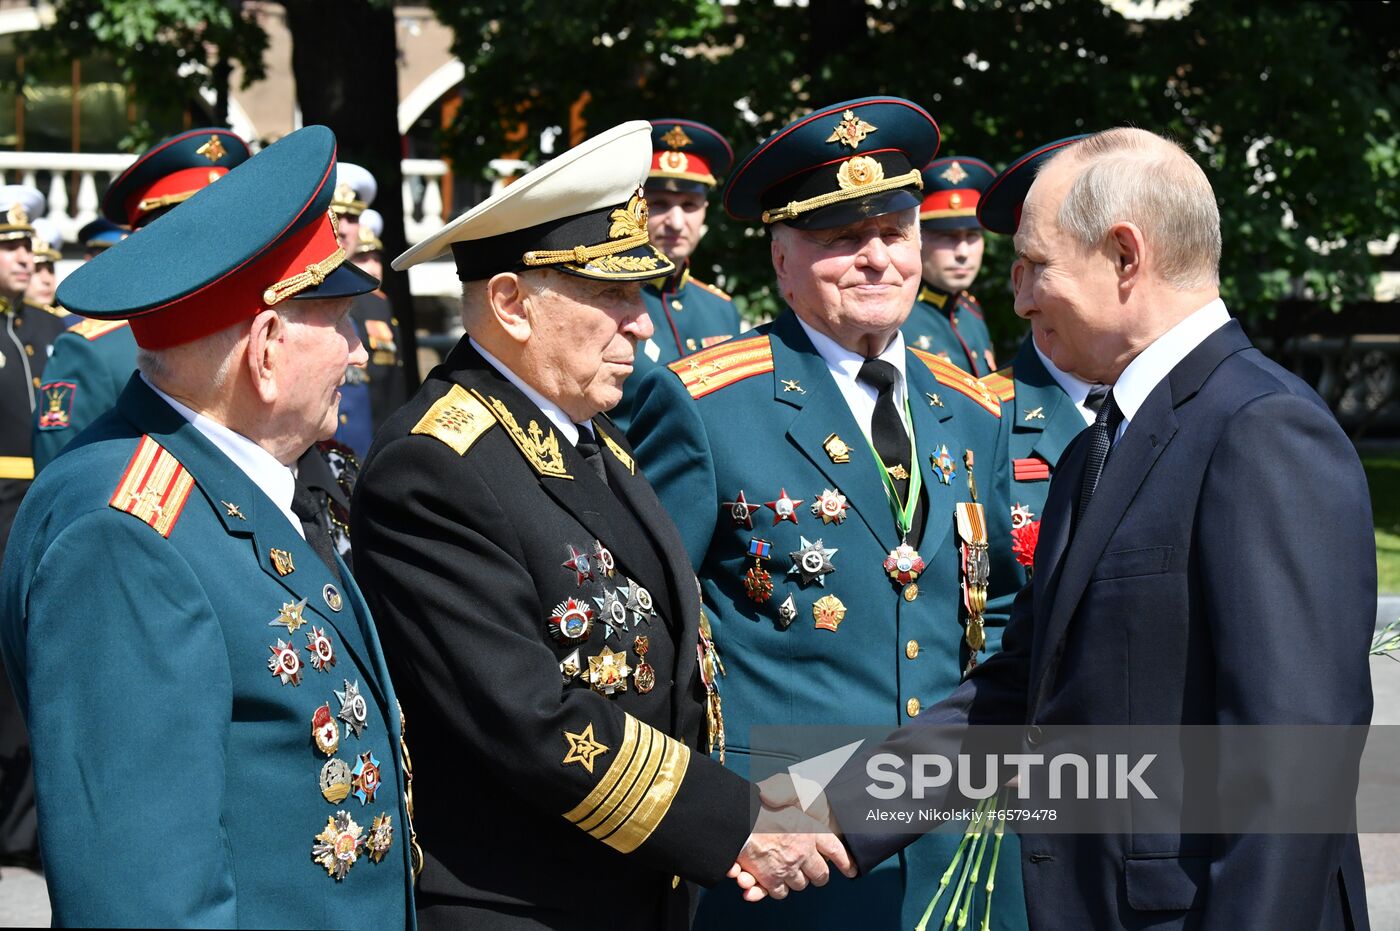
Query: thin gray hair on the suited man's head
1137	177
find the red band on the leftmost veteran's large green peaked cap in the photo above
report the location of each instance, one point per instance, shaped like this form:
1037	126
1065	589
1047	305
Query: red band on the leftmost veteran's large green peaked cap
239	295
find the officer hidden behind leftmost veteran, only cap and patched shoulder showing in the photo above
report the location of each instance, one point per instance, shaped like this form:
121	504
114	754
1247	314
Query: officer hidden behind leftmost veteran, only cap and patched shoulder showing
94	360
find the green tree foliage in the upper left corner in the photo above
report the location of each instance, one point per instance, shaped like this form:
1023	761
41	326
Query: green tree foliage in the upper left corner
167	51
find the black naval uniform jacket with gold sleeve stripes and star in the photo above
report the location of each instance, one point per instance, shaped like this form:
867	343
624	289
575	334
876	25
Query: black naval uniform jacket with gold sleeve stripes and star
540	801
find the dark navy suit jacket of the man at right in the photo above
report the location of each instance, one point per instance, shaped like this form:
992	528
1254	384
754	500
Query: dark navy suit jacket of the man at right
1224	573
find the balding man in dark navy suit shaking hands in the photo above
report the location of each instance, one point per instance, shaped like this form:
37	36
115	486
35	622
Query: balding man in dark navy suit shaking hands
1189	573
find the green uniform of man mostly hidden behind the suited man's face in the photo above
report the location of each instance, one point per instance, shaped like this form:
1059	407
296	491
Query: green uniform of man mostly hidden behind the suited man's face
1044	422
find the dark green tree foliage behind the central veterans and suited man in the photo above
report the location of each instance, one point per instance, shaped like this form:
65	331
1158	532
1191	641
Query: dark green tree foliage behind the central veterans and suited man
1290	108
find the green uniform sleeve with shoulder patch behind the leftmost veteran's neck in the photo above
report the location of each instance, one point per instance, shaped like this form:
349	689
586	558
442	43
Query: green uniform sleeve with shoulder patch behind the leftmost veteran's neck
90	367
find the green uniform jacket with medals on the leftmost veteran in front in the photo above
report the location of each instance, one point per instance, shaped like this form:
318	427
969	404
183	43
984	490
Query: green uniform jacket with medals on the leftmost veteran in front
176	743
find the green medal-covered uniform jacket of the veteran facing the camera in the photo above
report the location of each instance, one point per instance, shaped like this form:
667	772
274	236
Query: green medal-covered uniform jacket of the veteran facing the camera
758	421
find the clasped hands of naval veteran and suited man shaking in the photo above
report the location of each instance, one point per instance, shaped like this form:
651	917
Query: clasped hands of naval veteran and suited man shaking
790	848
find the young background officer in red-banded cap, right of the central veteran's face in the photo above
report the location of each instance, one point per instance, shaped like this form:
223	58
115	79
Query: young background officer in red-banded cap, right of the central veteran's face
947	318
